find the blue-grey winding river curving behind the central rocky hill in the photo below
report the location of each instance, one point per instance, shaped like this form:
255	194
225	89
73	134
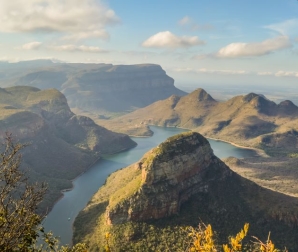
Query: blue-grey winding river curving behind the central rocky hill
61	218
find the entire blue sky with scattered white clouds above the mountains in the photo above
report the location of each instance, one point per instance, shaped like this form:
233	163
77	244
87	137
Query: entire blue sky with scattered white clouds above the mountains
240	42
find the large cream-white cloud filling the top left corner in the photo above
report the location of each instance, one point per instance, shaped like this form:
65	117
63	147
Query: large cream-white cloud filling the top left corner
84	18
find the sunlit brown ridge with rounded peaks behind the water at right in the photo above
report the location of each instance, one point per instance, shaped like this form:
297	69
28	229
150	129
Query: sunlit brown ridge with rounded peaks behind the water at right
249	120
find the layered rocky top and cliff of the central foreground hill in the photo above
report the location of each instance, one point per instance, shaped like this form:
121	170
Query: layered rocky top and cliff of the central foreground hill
182	166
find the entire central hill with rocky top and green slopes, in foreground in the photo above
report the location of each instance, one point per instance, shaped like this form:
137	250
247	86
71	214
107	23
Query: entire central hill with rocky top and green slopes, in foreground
177	184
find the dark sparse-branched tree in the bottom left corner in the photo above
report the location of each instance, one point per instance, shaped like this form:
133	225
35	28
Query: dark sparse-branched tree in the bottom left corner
20	225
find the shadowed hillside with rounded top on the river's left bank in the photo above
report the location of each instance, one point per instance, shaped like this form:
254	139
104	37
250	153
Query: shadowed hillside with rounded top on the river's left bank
61	144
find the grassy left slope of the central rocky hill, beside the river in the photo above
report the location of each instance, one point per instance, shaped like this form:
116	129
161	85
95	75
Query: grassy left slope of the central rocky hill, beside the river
119	186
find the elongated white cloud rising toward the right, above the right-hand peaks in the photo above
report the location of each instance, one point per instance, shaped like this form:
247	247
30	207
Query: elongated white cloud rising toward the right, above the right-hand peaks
236	50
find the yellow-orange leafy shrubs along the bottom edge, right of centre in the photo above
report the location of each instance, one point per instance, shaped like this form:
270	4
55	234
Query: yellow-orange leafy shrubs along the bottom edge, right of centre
200	239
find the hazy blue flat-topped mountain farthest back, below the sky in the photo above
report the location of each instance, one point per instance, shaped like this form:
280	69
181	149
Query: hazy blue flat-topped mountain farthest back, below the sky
98	89
